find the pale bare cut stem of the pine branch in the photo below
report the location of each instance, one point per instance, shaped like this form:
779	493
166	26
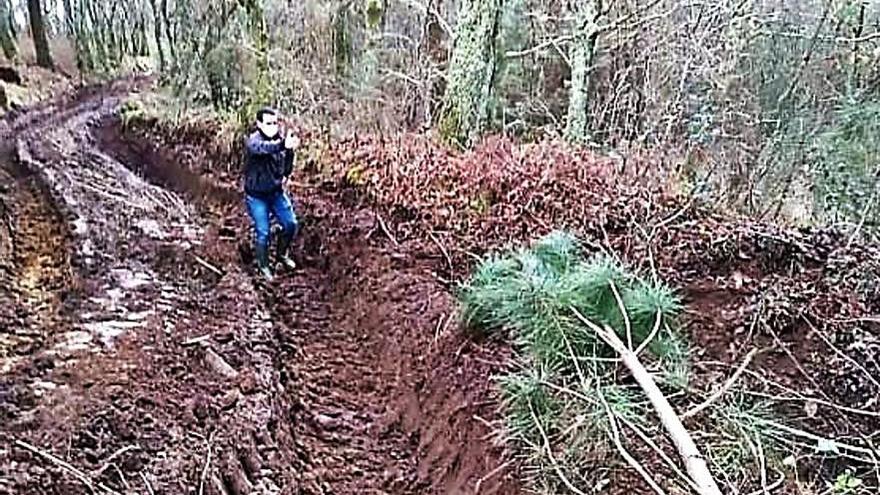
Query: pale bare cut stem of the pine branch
694	462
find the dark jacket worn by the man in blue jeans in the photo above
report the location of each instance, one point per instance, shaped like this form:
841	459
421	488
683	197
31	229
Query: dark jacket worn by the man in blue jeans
267	163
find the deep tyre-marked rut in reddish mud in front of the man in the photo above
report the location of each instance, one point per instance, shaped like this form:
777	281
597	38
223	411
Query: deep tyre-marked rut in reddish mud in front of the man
343	394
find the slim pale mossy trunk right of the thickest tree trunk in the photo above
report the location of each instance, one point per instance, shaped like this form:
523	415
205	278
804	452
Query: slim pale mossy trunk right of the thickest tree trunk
583	45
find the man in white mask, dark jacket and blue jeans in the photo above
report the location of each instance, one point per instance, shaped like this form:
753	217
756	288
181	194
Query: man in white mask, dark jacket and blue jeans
269	161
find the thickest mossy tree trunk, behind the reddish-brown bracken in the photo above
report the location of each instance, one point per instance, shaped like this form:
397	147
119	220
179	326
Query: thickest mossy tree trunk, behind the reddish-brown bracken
471	73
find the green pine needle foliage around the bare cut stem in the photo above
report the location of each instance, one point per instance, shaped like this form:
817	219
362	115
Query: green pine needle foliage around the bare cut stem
566	399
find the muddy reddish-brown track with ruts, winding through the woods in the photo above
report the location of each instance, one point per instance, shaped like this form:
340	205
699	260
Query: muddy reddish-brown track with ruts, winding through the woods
156	362
